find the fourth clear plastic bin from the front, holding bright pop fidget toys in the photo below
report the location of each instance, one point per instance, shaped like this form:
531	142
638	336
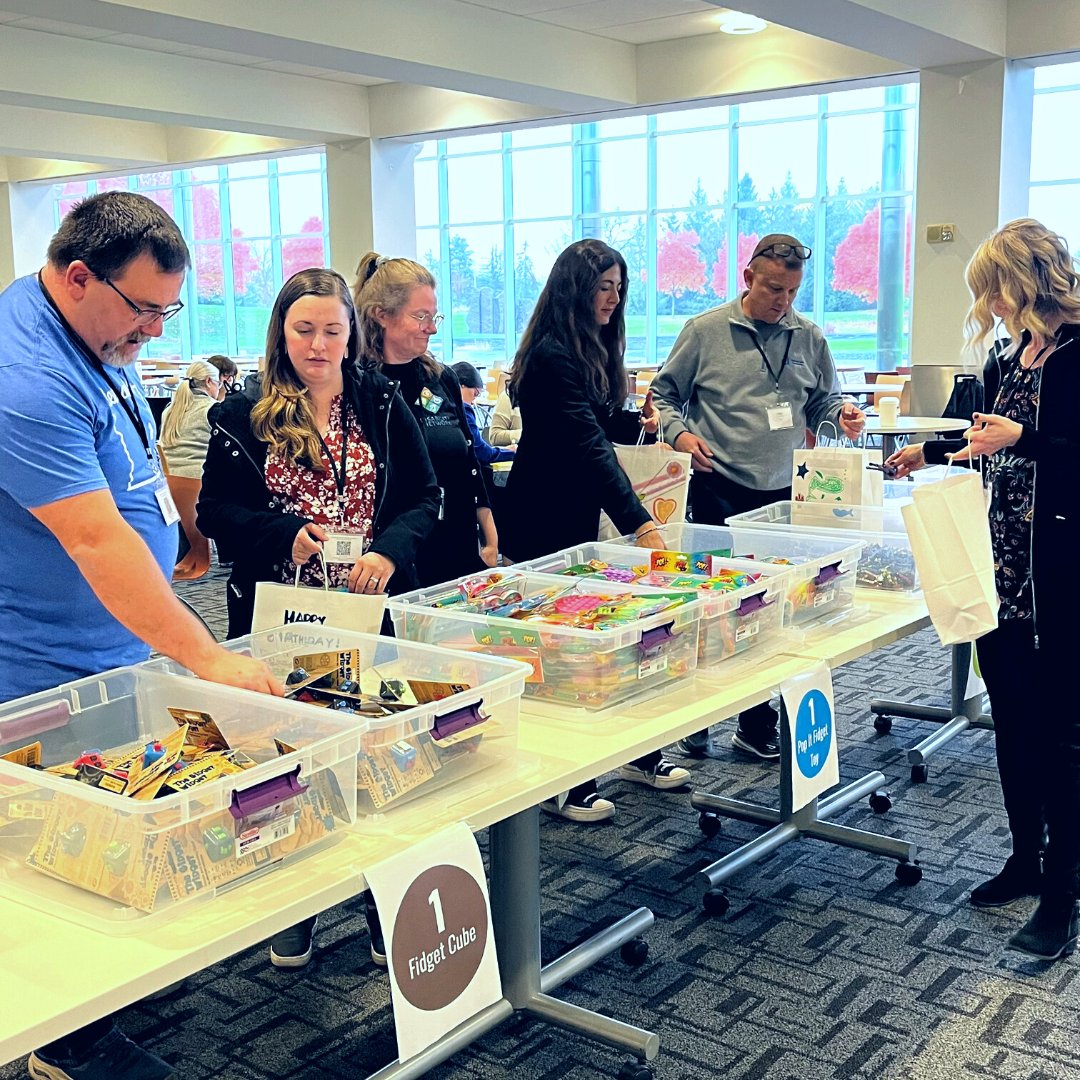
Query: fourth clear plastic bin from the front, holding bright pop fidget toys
740	628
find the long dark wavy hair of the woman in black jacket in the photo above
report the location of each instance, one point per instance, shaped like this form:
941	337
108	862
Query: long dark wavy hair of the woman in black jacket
565	318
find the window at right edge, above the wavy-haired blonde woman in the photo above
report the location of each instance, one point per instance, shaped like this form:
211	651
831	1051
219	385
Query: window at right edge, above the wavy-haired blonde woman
1056	159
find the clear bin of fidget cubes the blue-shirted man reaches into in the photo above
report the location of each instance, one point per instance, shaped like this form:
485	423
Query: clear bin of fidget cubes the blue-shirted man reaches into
422	749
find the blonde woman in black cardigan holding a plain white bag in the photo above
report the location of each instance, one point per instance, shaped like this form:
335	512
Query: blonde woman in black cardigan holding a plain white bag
1024	276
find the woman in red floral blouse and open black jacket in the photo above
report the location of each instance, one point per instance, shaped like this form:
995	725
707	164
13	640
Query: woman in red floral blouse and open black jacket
328	450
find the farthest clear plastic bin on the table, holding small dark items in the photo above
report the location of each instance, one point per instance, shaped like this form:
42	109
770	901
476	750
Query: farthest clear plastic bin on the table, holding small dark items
887	564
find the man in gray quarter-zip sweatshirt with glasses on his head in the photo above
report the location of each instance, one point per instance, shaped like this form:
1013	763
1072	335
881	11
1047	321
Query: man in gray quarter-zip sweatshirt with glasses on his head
740	388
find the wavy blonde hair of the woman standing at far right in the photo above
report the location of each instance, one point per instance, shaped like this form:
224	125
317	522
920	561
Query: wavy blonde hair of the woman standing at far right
1031	271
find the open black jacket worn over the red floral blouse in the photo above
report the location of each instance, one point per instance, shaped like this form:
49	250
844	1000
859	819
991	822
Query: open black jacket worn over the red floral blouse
238	510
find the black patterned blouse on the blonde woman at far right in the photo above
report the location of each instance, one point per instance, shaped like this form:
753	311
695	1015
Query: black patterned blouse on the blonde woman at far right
1012	485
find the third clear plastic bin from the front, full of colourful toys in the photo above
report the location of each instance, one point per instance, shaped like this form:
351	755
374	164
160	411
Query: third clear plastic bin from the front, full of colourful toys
572	667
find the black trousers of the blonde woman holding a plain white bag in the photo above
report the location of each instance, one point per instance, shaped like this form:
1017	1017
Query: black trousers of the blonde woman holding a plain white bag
1037	733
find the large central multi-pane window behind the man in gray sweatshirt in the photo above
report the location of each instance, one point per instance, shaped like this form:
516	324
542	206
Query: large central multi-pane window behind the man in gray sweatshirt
685	196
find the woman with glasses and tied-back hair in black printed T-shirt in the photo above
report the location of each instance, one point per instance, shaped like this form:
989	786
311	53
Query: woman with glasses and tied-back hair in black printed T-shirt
398	315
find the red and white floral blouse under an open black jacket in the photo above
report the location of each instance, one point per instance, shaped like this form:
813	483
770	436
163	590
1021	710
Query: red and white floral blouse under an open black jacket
315	495
